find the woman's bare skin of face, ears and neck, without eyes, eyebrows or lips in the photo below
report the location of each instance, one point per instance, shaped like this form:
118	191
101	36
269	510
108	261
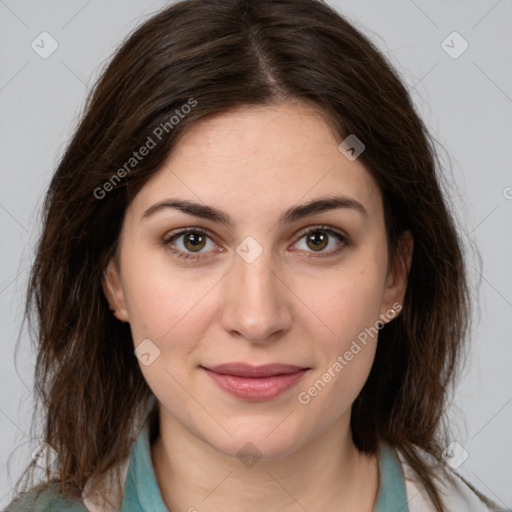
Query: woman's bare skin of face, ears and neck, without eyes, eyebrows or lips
289	305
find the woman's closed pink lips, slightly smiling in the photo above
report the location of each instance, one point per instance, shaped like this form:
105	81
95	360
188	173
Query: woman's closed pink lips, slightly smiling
255	383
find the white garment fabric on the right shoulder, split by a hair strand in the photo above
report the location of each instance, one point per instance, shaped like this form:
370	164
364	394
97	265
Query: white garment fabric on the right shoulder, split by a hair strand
459	495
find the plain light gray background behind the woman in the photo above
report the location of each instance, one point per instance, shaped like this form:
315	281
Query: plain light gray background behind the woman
465	101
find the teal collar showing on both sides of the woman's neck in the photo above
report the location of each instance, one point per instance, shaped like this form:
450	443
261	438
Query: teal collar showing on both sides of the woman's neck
141	491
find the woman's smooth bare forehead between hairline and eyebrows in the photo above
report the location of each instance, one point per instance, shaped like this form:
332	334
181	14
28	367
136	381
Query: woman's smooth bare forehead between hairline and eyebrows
260	159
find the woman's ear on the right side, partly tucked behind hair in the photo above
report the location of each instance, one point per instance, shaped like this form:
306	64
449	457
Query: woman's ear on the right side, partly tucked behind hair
396	281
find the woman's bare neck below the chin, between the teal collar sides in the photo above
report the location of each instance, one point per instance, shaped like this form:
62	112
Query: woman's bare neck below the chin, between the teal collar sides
326	474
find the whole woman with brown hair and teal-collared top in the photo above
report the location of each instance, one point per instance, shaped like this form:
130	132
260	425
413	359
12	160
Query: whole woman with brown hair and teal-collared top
249	289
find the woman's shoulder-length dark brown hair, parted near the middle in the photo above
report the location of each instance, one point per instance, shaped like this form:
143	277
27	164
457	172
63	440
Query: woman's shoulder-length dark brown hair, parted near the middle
225	54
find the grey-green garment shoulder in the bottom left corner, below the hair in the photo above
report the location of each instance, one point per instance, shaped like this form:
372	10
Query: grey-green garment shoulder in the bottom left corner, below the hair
45	501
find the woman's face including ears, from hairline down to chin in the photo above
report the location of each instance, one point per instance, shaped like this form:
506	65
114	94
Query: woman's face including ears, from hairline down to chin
249	286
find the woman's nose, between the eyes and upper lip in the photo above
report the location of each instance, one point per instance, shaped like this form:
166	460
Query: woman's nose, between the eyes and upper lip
257	305
